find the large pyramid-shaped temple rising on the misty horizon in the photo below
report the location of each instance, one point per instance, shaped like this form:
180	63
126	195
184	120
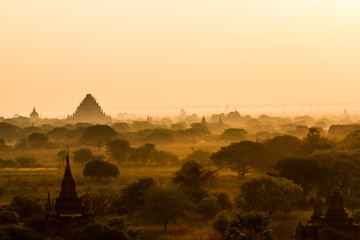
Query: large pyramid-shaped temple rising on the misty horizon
89	111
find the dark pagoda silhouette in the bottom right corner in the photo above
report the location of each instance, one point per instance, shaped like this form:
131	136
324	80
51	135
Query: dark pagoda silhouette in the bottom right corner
335	218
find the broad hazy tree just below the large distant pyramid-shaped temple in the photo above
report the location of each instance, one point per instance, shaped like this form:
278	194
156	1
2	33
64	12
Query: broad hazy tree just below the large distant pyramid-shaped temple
98	135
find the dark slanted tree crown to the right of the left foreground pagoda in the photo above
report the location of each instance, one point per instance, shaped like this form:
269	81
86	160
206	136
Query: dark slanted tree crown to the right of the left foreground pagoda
133	195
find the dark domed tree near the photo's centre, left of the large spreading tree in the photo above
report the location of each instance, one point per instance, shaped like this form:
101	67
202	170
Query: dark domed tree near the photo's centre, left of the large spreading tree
193	175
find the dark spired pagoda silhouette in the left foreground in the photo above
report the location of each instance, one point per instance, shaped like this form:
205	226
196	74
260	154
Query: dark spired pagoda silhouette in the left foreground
68	213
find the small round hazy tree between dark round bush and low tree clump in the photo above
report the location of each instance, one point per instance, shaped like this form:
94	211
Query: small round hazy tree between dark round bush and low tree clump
118	150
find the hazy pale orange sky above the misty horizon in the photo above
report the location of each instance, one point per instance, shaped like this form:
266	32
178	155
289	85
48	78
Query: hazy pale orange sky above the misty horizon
177	53
